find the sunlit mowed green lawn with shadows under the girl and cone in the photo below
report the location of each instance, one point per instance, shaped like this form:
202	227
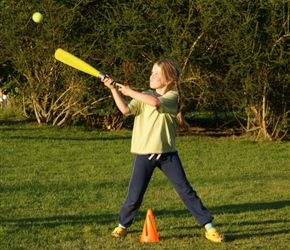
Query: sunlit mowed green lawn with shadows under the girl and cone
62	188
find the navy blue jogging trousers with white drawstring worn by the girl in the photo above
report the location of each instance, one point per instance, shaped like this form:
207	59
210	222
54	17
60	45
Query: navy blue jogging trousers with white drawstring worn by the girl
170	165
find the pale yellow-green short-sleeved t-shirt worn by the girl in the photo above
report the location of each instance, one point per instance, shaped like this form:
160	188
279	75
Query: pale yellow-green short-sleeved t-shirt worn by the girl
154	129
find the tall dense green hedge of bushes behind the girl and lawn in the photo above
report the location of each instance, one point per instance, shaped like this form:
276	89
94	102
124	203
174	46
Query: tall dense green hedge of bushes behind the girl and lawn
234	56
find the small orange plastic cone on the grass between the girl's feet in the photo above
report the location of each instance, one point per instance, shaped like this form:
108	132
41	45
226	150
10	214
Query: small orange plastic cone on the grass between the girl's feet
149	233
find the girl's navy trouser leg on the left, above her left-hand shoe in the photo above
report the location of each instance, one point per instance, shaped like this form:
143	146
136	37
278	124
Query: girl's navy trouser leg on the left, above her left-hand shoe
141	175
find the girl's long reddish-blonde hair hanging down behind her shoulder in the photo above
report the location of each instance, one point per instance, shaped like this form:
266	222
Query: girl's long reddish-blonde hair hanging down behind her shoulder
171	72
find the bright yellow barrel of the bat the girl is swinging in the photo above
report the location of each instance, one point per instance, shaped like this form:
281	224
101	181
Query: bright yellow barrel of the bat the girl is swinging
77	63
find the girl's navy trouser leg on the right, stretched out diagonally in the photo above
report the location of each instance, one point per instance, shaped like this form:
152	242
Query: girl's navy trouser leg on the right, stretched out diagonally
171	166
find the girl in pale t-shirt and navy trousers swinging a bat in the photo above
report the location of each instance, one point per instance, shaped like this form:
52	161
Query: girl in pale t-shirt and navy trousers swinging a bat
157	116
